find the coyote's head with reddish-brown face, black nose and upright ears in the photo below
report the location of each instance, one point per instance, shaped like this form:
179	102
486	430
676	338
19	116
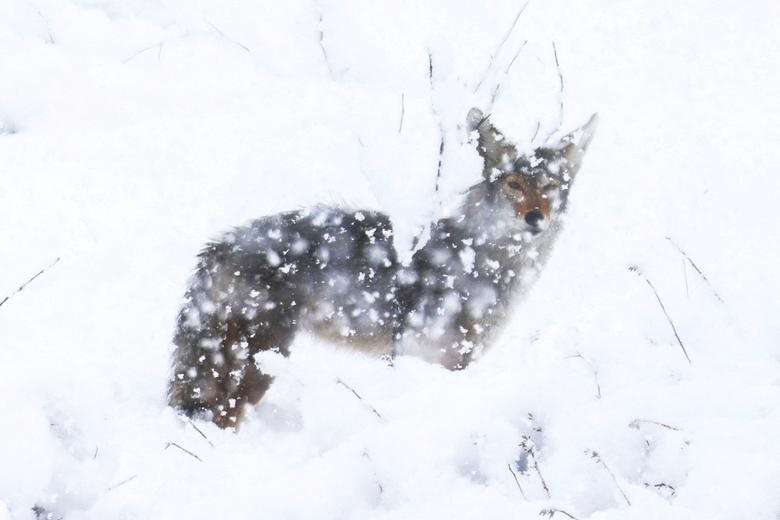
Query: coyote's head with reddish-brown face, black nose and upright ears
536	186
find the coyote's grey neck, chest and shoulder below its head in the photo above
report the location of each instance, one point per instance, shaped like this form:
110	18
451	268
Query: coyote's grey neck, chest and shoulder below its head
466	278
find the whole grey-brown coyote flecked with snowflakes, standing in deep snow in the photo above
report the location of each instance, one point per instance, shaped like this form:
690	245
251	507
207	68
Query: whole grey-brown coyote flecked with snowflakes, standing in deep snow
334	272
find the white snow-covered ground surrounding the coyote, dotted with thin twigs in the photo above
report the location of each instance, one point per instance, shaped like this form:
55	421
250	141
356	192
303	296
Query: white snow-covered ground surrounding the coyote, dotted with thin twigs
133	130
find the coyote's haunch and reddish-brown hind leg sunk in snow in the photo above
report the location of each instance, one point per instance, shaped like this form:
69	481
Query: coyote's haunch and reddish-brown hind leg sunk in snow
234	310
